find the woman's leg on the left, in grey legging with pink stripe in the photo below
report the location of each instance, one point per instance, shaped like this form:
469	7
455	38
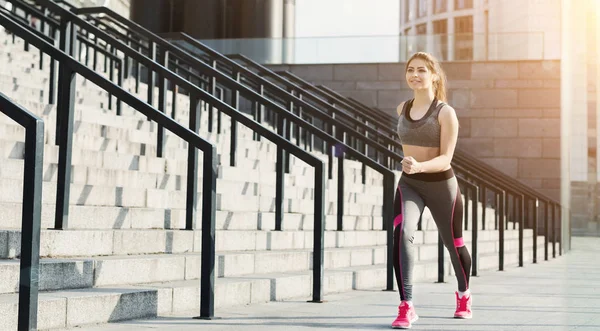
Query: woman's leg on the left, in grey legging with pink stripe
408	208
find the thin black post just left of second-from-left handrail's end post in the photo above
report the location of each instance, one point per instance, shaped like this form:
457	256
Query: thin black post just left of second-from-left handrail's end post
192	169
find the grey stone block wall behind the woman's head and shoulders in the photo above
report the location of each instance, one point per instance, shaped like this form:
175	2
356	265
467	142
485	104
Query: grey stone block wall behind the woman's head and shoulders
509	112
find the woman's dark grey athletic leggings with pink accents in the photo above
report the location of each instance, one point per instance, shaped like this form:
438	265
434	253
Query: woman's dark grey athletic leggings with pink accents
441	194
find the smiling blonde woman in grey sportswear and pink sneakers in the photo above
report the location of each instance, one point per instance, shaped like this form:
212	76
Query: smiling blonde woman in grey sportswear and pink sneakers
428	130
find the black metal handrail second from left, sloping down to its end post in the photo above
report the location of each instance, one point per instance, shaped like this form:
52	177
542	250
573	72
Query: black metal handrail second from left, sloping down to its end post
69	67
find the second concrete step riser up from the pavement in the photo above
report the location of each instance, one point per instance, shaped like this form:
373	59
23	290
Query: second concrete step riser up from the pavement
57	274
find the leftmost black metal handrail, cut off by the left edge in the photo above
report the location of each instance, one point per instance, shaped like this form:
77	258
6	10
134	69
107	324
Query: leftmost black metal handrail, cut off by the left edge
31	212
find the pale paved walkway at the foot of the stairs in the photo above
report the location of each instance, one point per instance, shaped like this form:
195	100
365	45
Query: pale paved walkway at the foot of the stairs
562	294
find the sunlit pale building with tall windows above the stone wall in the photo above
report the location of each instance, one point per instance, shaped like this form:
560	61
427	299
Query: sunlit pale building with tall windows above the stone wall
464	30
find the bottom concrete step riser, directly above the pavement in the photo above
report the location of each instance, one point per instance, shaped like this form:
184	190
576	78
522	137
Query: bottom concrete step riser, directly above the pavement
71	308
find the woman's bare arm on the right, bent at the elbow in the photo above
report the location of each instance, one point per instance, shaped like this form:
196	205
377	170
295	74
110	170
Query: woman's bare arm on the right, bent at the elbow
448	139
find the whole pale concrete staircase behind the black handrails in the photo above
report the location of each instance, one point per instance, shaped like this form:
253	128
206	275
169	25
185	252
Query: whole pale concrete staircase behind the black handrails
124	254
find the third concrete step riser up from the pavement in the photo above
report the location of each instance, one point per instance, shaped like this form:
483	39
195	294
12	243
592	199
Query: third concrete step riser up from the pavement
85	243
